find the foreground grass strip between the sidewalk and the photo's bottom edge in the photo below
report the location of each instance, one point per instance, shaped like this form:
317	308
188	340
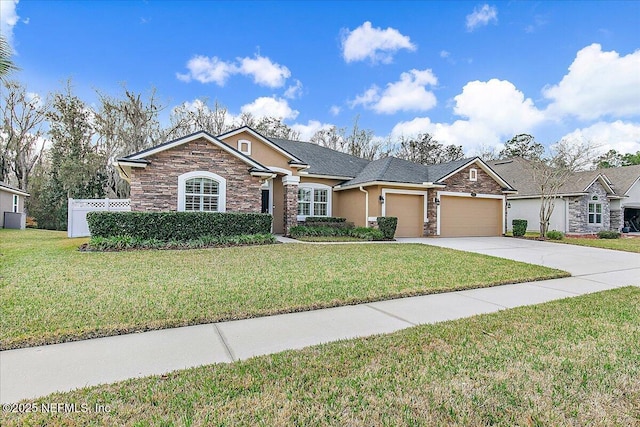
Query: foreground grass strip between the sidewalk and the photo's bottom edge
568	362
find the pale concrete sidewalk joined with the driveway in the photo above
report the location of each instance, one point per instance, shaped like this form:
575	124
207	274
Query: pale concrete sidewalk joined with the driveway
37	371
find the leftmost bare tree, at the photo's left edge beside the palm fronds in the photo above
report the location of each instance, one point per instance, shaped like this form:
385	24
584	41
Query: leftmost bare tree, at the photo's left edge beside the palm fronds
21	142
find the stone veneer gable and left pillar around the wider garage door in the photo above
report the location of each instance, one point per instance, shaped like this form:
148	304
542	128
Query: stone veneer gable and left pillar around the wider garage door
484	184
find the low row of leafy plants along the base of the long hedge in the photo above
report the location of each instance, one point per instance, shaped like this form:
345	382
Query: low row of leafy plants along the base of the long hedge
115	243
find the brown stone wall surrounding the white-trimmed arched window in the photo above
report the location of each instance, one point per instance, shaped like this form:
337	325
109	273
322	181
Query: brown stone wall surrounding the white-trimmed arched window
155	188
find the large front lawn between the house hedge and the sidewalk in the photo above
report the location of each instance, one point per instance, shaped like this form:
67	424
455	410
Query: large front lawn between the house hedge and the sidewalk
51	292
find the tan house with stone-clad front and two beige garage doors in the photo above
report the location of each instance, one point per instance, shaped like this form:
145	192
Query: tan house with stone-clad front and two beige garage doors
243	171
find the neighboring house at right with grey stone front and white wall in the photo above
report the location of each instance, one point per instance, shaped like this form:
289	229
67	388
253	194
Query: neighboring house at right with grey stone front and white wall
588	202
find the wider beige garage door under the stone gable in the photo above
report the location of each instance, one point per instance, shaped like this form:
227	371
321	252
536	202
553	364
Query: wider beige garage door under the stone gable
470	216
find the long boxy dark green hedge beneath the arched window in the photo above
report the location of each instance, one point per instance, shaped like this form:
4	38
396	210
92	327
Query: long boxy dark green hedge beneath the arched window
179	226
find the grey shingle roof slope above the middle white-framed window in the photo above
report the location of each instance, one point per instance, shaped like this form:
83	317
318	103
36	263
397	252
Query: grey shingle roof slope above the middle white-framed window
322	160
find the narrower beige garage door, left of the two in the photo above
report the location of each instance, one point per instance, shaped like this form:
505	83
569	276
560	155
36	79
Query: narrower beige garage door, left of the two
408	208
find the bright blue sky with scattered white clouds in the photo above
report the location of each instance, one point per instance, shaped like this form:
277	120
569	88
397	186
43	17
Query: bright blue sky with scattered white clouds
470	73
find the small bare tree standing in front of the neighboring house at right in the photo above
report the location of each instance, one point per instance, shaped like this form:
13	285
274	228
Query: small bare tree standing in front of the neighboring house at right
550	174
